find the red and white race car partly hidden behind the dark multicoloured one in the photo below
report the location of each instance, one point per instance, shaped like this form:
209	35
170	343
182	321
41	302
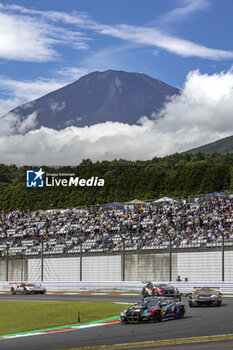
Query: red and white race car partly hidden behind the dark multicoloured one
160	289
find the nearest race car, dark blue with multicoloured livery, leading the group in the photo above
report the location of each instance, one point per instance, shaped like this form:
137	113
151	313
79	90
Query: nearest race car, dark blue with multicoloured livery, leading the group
153	309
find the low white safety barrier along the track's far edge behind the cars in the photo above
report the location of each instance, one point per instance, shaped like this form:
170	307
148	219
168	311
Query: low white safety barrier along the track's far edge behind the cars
126	286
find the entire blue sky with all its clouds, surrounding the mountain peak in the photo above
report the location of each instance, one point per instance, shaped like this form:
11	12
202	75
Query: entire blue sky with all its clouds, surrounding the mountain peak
185	43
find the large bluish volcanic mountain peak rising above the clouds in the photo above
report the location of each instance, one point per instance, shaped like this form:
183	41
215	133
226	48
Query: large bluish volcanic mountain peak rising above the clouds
99	97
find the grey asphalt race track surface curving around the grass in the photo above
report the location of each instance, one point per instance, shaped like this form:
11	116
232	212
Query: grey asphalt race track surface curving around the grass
200	321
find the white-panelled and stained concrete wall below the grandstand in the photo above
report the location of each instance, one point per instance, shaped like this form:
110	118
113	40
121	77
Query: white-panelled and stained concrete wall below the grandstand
193	266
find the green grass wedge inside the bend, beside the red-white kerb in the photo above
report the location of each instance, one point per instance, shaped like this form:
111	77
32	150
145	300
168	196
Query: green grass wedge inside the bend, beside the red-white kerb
20	316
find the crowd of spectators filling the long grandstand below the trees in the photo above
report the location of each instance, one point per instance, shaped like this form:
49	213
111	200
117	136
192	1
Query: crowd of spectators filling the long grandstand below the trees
200	223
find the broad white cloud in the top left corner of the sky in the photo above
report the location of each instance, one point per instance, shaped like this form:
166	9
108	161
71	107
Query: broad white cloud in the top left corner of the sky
28	35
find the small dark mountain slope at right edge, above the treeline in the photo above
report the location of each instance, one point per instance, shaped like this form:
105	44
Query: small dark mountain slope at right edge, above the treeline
221	146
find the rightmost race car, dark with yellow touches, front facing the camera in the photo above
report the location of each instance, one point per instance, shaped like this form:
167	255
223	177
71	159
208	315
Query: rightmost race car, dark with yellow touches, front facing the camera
205	296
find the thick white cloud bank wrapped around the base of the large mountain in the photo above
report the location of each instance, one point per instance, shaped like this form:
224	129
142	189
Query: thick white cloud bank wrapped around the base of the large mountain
201	114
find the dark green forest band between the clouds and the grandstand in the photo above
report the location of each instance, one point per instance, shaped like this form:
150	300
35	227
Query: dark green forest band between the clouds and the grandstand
175	175
